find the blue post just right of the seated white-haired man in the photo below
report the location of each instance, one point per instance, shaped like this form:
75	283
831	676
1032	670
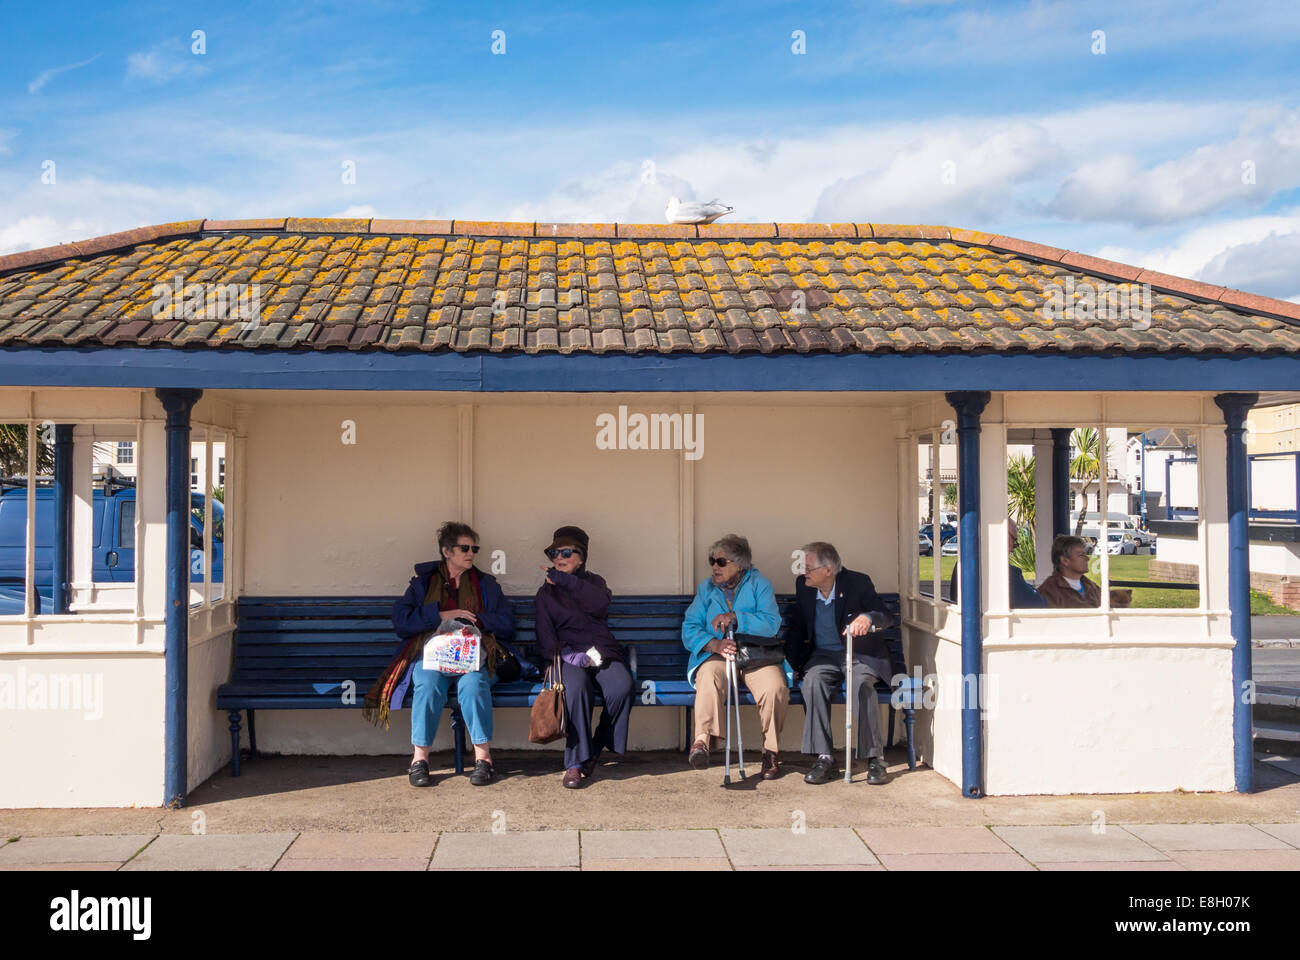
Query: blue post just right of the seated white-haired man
969	407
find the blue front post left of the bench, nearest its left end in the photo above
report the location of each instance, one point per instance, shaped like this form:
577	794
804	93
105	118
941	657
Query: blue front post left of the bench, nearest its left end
177	404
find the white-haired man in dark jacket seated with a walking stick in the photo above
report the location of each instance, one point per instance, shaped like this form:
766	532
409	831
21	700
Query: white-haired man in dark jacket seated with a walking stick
829	602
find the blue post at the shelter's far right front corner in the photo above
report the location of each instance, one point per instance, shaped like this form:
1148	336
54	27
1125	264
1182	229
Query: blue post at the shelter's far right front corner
1236	407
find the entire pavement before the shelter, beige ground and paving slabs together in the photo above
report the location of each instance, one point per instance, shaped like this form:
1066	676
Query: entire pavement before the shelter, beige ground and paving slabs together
655	814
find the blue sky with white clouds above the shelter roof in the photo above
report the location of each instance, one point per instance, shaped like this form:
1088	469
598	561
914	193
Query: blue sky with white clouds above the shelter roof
1178	148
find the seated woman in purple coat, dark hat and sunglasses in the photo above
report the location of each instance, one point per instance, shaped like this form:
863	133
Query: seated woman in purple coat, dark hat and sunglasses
571	621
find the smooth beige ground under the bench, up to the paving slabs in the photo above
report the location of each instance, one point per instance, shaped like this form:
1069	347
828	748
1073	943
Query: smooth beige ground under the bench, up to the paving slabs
648	792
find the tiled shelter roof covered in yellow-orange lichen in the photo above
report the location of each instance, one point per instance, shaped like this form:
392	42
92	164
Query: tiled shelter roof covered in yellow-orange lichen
614	288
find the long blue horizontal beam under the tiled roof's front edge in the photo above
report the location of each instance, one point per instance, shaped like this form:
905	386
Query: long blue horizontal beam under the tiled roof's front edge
348	370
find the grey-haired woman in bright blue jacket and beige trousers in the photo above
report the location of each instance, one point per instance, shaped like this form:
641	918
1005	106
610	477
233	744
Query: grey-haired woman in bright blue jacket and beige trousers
740	598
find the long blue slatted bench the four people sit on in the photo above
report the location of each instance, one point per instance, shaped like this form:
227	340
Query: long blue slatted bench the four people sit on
315	654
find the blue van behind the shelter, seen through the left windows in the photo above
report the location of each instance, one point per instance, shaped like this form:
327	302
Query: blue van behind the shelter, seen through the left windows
112	546
